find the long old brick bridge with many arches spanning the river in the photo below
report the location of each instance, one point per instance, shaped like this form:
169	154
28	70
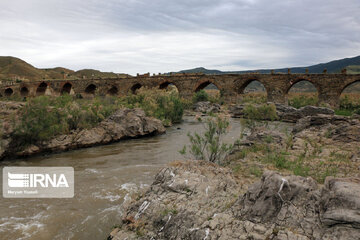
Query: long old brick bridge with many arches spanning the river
329	86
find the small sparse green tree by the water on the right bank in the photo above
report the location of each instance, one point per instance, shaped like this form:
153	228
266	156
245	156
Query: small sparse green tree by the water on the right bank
209	146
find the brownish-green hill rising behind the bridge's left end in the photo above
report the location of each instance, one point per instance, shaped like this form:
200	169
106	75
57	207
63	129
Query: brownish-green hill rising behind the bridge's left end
12	68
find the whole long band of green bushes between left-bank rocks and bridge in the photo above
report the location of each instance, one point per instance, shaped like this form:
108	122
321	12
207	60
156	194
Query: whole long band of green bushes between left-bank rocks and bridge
44	117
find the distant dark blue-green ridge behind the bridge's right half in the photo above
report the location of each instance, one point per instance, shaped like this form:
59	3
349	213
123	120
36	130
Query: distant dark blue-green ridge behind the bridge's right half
352	64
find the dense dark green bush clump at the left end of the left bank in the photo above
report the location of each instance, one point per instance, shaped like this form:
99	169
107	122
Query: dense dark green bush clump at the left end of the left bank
45	117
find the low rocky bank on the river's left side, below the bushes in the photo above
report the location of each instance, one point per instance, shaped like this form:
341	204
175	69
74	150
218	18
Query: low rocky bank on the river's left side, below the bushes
124	123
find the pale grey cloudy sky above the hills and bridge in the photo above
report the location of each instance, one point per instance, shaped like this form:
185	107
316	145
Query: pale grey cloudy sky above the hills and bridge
169	35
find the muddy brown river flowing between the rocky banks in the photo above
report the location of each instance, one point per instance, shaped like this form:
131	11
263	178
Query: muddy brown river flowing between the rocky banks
104	177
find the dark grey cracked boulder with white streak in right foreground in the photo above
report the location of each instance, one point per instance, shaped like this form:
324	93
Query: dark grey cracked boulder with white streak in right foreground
289	201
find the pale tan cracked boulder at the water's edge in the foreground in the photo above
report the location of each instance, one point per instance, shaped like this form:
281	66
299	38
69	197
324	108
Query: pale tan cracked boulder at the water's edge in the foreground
181	203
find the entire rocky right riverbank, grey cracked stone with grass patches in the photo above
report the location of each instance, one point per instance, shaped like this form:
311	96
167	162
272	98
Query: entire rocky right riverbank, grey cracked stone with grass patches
299	183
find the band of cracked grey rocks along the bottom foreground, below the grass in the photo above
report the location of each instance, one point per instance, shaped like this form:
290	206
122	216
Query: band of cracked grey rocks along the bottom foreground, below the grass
198	200
